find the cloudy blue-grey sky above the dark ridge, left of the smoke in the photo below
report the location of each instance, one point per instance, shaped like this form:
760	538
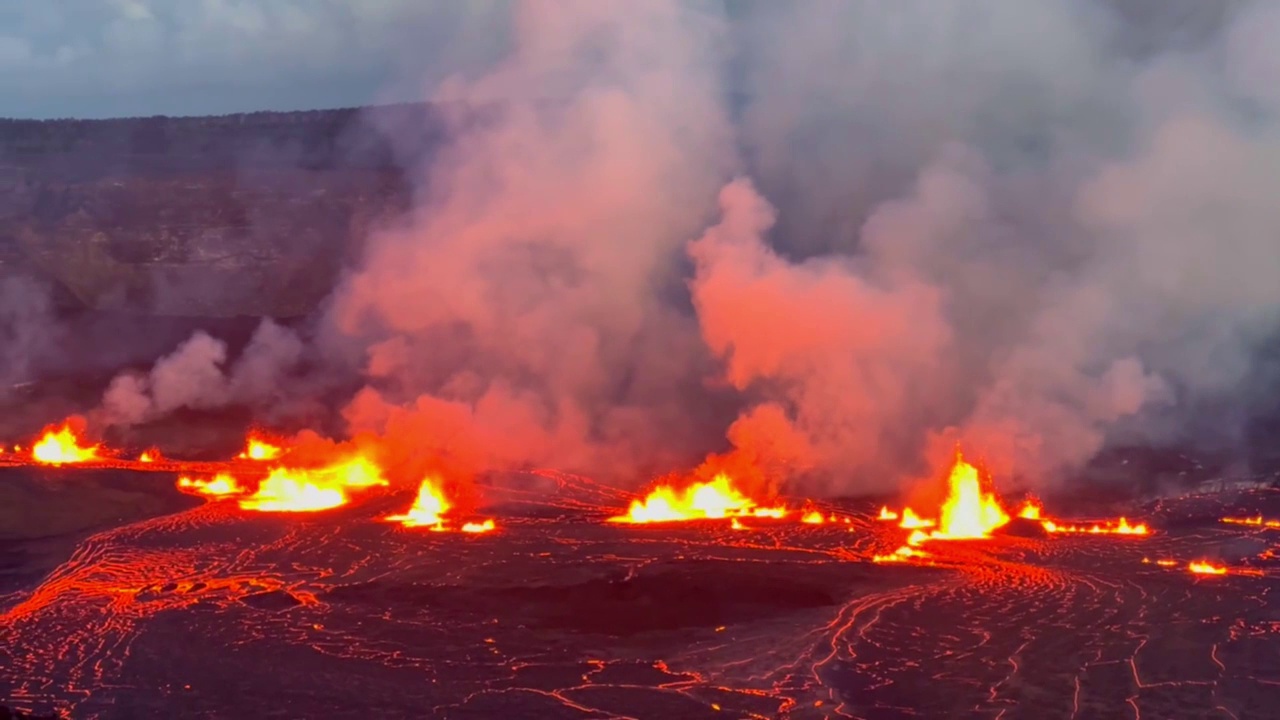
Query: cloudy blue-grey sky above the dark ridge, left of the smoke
131	58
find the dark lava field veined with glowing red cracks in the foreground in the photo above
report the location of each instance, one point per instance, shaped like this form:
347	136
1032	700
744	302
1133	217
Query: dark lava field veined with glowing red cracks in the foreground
204	610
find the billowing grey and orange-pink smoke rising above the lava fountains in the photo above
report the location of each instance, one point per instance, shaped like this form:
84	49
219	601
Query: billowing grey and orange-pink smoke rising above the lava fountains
821	241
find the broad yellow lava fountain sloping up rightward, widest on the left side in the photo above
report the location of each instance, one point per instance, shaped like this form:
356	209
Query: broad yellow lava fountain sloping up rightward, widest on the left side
296	490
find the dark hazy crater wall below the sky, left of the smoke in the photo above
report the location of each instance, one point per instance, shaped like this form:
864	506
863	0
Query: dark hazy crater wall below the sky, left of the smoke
203	217
